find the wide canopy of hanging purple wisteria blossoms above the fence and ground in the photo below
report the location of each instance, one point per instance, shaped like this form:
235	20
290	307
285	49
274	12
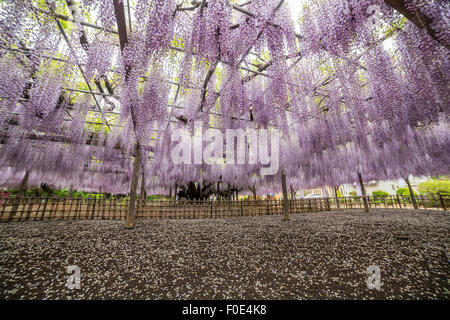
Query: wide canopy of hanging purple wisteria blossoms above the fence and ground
345	100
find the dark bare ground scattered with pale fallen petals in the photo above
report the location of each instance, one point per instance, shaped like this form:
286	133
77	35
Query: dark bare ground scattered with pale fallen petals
318	255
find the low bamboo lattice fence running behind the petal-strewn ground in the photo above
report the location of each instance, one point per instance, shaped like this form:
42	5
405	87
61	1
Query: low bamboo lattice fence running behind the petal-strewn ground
26	208
